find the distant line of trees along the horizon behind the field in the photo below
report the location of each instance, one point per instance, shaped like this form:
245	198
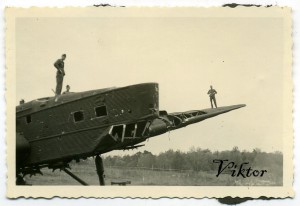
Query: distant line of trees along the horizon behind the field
197	159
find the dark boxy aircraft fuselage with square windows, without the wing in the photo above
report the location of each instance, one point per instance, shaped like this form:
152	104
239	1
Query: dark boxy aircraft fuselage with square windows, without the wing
73	125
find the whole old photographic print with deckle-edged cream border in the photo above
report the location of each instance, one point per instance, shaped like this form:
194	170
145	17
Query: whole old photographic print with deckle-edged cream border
158	98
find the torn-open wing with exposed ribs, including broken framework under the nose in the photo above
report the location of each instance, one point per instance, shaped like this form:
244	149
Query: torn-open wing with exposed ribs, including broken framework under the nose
119	137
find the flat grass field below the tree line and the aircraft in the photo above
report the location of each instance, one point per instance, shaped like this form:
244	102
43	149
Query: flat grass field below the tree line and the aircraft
86	170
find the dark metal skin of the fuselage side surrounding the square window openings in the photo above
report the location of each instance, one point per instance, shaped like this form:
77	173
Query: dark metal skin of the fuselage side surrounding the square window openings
53	134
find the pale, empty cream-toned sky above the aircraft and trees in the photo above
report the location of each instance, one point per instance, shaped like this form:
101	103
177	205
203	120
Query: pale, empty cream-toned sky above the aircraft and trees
241	57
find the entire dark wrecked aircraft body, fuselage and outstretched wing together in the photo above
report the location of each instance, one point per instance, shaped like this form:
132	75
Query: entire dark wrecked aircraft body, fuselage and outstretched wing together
73	126
